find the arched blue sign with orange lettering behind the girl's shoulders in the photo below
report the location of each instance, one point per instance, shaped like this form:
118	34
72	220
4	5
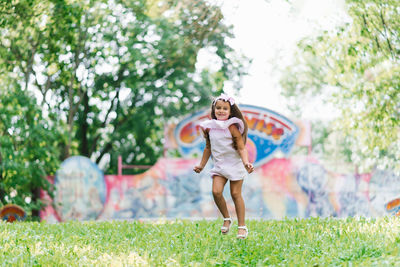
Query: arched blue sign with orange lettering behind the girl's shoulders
268	133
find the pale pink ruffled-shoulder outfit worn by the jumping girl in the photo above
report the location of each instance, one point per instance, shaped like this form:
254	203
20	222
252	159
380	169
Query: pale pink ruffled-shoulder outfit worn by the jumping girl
227	162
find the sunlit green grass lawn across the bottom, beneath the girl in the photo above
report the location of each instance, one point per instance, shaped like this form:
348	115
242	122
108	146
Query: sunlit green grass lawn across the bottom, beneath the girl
290	242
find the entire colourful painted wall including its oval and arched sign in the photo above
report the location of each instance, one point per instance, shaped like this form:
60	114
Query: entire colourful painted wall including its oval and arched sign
279	187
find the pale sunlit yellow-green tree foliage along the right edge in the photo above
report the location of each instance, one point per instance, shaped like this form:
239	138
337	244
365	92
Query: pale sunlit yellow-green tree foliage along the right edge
356	67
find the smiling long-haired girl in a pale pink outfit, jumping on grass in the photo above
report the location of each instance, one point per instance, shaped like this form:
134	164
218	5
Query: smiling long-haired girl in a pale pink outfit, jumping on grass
226	136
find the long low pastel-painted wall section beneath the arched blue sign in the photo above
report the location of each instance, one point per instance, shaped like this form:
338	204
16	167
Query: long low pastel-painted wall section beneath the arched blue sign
283	187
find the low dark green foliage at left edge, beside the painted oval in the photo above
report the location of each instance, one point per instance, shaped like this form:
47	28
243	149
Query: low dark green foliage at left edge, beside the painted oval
28	149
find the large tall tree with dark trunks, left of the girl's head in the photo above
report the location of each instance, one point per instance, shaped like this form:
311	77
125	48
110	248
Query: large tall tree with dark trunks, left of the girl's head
115	71
